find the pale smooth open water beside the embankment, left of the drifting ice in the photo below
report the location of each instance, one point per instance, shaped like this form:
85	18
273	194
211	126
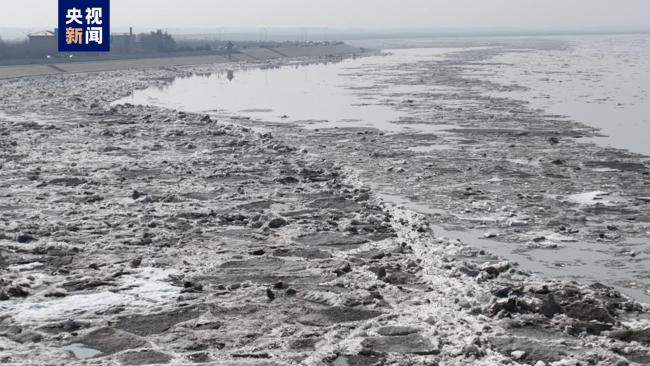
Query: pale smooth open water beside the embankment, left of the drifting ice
319	95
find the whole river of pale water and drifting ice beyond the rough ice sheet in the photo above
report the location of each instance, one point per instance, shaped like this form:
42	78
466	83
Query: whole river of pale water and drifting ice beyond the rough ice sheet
425	100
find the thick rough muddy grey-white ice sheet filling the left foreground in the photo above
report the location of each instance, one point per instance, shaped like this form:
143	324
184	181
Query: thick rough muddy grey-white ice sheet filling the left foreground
139	235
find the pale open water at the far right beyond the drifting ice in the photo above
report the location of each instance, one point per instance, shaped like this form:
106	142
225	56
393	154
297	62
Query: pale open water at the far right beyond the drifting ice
602	81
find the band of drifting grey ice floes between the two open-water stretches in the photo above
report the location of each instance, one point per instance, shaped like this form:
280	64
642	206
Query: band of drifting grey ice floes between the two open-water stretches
511	179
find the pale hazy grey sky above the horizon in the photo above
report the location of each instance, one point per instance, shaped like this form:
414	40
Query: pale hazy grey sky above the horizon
523	14
